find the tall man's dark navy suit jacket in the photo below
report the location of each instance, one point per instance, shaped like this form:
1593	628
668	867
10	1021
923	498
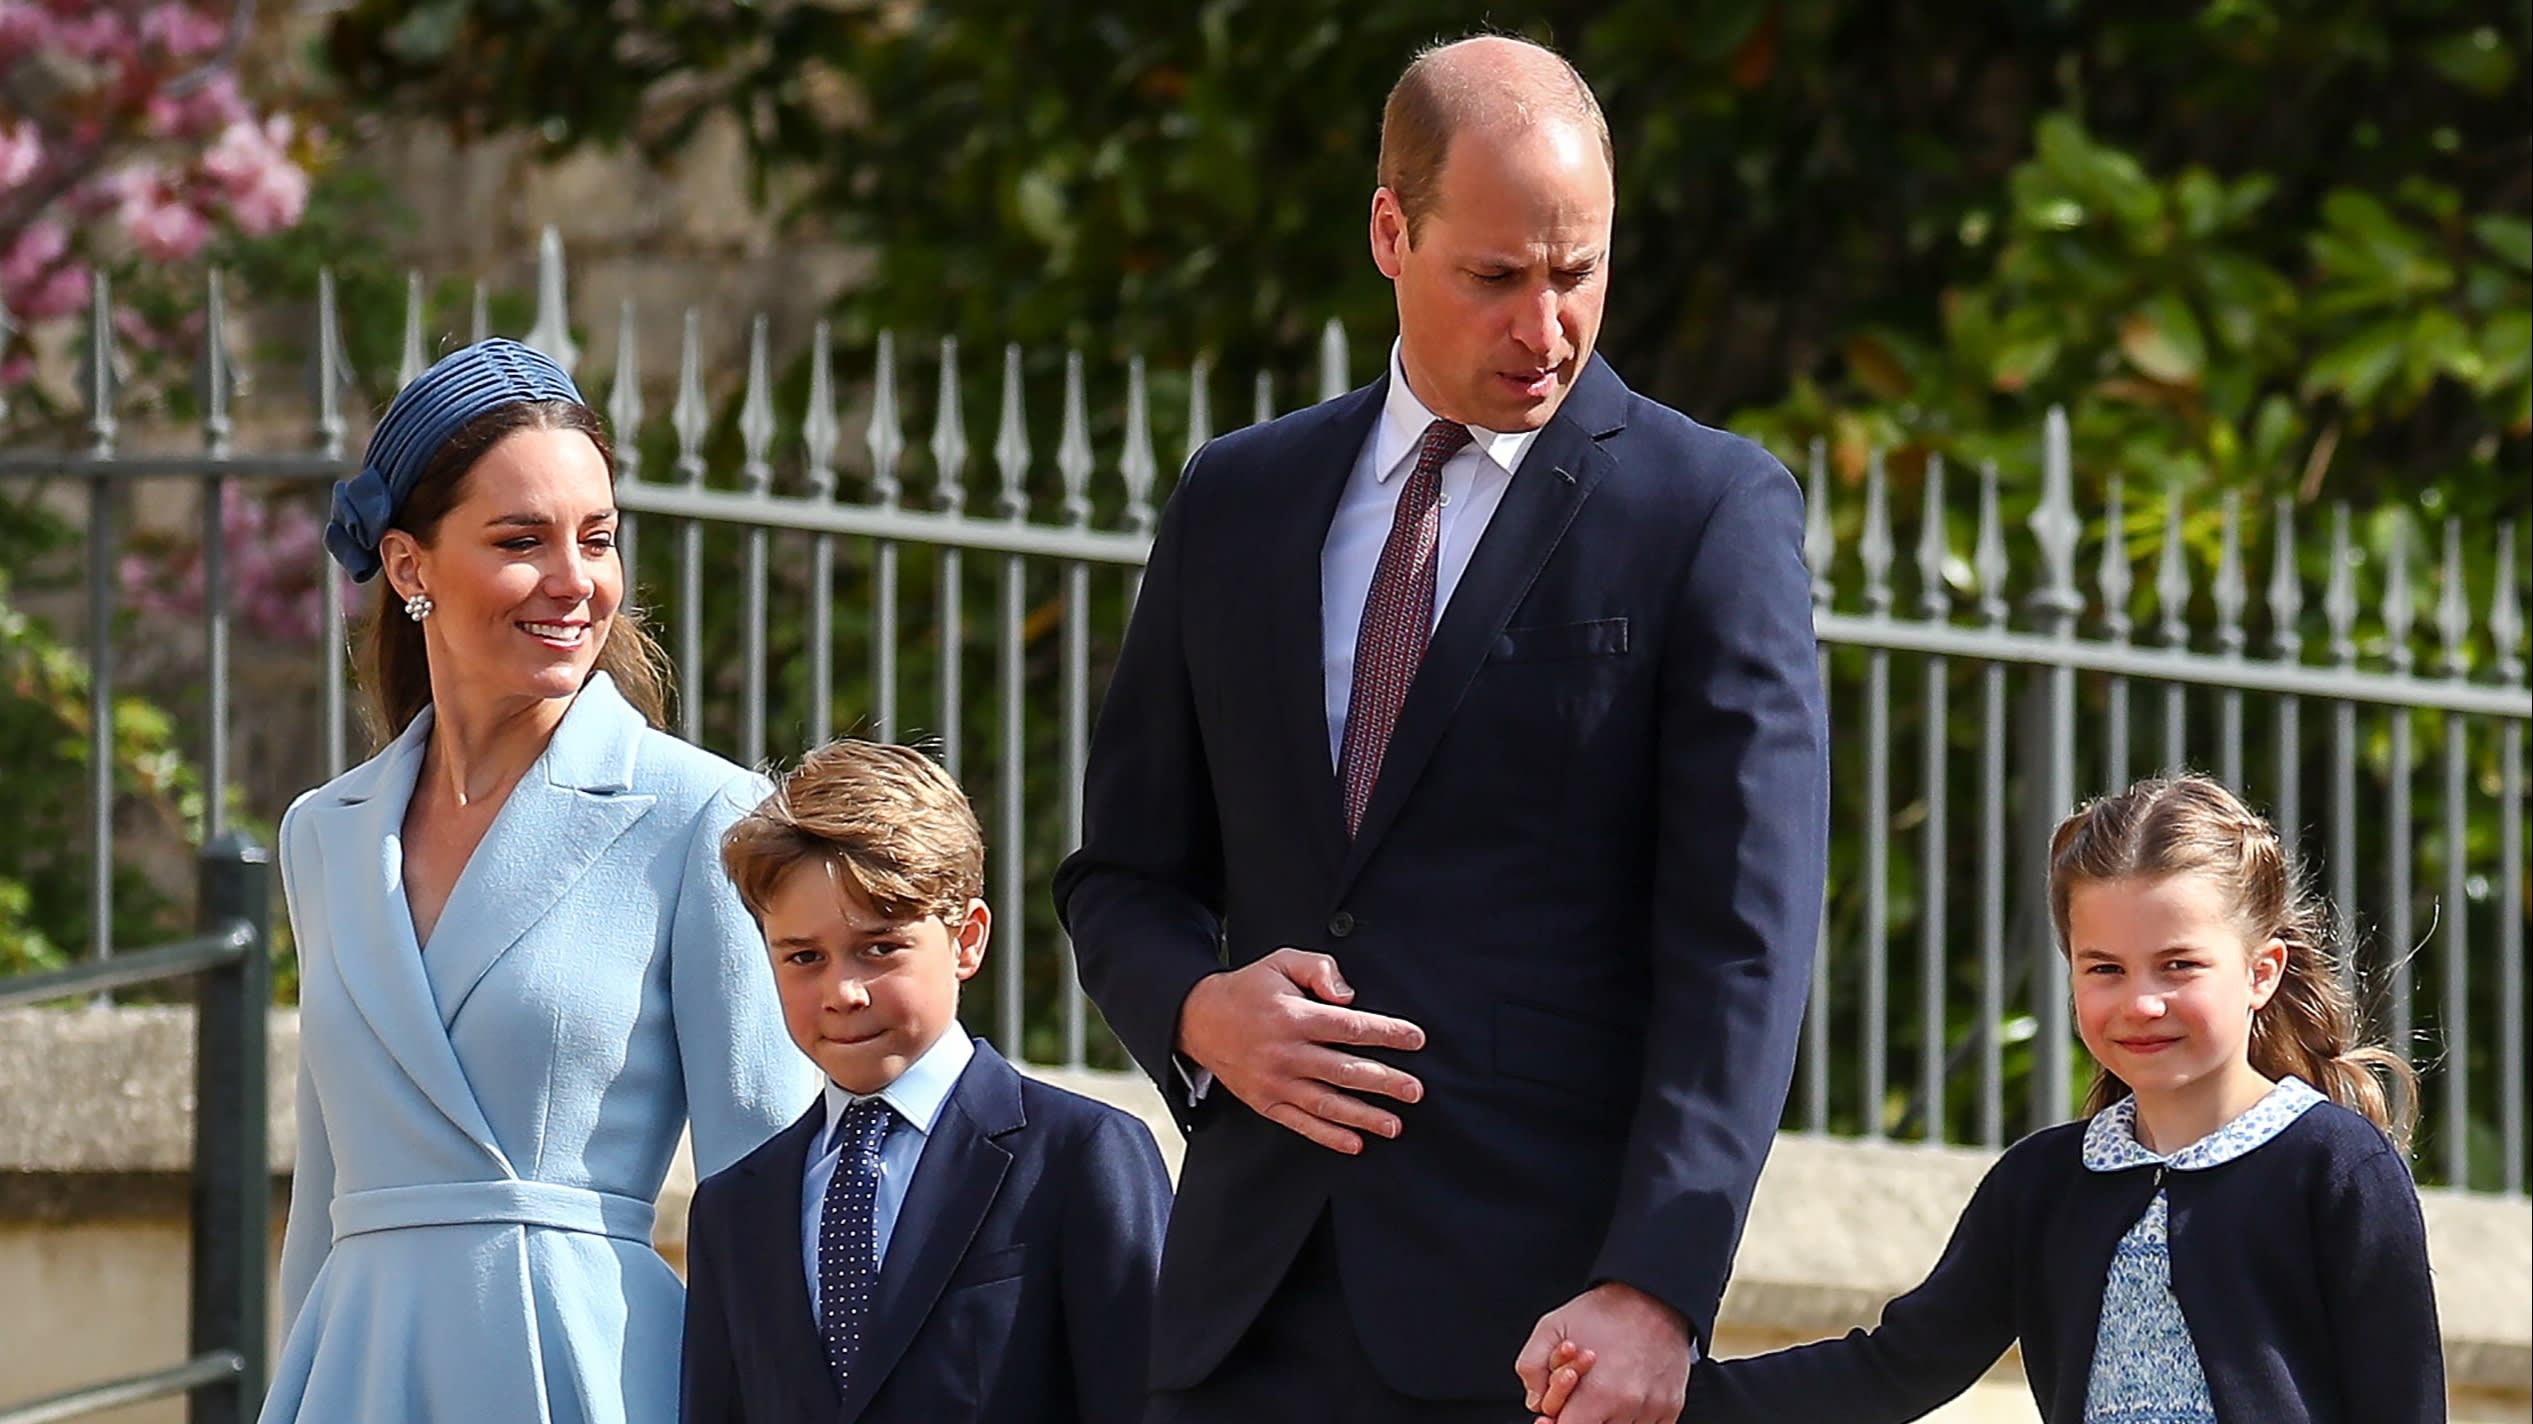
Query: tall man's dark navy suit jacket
1592	873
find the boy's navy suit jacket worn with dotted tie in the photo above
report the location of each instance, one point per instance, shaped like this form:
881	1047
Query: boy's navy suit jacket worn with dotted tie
1017	1286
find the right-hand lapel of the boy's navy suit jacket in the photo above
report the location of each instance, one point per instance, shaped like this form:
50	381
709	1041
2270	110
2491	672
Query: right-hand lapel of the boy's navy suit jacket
954	1187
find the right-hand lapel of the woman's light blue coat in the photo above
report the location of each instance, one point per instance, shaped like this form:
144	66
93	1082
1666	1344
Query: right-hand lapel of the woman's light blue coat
559	822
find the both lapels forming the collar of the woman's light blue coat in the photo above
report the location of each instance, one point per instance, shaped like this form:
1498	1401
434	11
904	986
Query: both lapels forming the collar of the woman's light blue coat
569	810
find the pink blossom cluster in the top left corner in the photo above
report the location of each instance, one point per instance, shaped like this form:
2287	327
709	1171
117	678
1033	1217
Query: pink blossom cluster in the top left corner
128	141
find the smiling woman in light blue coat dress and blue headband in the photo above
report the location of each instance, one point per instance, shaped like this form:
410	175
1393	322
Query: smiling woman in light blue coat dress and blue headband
523	969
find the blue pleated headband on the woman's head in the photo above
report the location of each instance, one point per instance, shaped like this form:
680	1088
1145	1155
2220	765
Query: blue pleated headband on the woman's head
419	422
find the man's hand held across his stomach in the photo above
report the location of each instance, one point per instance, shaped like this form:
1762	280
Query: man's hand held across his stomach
1275	1035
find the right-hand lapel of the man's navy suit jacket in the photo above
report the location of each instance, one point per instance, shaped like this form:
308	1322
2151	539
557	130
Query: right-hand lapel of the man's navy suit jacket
1559	473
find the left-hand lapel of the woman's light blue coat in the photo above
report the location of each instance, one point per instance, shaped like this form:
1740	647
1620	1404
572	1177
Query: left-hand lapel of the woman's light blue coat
371	929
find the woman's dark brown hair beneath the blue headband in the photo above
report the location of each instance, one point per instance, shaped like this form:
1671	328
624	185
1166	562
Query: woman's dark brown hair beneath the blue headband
394	660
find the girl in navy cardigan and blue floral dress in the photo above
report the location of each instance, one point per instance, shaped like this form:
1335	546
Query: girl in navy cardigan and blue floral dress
2233	1235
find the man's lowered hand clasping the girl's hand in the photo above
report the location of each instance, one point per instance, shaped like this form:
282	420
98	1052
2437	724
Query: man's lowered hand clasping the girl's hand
1638	1370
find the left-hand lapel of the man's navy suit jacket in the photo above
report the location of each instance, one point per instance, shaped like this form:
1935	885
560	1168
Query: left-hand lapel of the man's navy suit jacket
1323	460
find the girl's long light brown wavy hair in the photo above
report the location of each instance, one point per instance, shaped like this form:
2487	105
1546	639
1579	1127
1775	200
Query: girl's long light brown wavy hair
2190	825
